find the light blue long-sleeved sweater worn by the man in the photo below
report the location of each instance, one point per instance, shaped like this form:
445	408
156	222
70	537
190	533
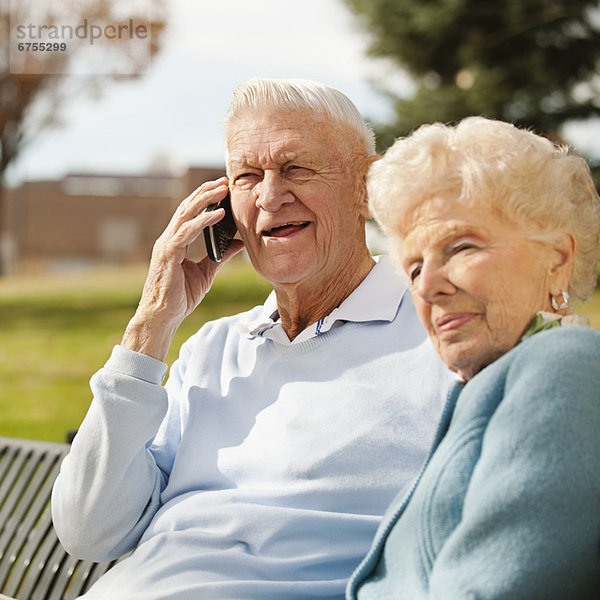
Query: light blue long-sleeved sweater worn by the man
262	470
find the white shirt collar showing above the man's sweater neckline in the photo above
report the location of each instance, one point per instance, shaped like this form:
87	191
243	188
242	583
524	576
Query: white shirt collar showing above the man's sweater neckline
376	298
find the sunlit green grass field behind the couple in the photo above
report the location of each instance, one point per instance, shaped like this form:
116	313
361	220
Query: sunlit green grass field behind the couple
56	331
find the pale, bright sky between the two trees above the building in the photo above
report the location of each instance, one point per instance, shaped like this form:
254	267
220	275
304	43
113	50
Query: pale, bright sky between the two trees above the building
172	116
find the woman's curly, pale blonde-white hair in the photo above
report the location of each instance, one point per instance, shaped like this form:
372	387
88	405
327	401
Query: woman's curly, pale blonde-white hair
530	180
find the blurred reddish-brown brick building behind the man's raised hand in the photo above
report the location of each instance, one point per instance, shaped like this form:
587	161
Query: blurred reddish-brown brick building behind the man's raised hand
89	219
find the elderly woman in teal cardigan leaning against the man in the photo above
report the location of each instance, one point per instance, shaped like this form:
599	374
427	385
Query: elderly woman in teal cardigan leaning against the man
498	231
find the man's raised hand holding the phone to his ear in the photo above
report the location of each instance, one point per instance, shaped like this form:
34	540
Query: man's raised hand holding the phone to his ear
175	285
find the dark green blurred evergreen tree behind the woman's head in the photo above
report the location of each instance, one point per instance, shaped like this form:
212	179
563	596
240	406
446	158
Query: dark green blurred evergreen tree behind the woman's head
534	63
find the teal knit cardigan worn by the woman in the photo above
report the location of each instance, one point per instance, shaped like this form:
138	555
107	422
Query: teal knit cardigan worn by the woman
508	503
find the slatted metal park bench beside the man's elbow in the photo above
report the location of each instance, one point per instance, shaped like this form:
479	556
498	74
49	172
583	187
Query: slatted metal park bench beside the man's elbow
33	564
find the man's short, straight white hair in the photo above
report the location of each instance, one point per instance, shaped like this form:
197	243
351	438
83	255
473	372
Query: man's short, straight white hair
301	94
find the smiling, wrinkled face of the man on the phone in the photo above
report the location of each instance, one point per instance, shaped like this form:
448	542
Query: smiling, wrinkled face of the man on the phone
296	195
